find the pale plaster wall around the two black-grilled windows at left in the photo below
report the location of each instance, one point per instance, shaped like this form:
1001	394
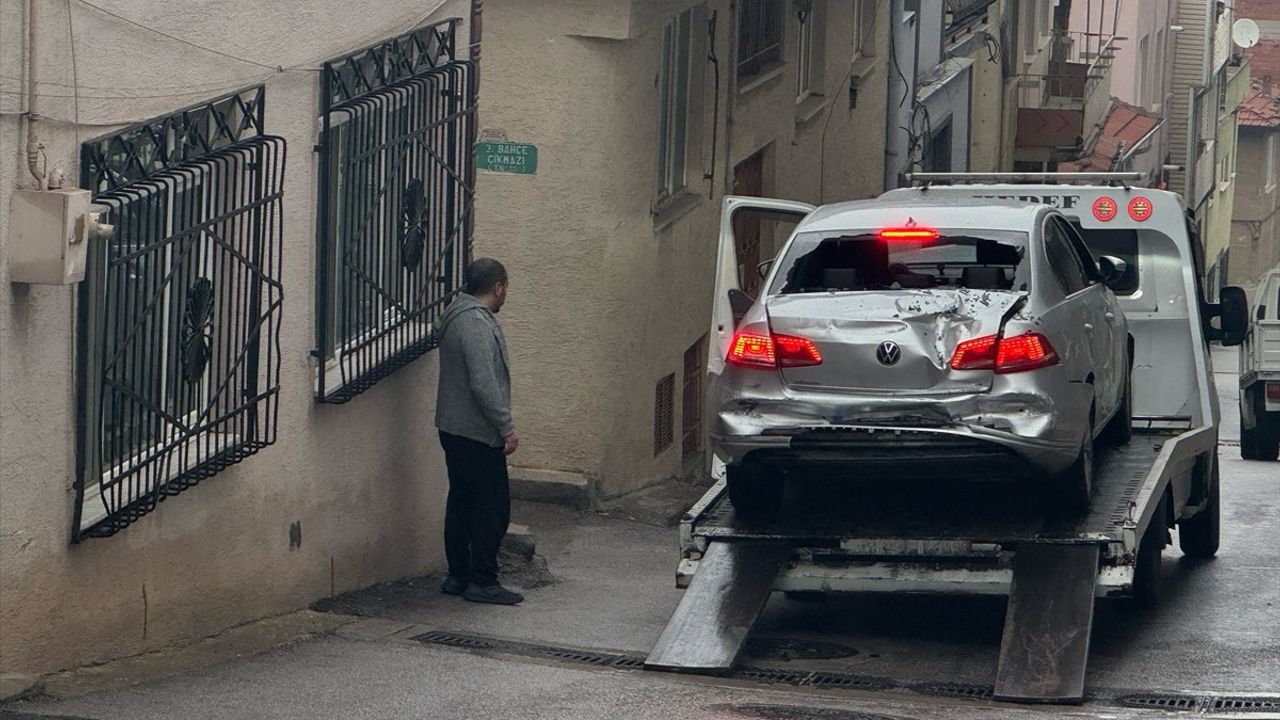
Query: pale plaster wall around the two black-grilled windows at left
364	481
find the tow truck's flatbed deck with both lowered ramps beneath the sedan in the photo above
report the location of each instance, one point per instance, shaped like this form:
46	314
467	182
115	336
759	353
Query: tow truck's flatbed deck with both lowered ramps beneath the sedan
1052	566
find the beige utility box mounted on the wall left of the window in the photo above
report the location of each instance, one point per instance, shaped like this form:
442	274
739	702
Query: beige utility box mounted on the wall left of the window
49	235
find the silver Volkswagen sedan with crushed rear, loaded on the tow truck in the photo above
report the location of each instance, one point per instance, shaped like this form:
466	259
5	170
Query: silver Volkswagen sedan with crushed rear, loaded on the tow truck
952	339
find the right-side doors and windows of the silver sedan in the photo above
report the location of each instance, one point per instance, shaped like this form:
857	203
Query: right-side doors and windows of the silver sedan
1109	335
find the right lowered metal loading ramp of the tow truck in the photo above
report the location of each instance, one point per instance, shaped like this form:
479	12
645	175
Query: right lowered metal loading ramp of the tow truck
1045	648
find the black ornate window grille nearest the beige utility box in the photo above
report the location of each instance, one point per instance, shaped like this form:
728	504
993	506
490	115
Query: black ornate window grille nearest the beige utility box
179	363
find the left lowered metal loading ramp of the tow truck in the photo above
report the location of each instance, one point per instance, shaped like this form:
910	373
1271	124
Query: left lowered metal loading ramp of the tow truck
714	619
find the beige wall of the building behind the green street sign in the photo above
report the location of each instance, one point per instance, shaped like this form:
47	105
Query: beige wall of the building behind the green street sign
607	294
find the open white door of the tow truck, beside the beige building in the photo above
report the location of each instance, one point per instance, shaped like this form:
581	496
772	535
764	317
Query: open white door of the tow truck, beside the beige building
740	230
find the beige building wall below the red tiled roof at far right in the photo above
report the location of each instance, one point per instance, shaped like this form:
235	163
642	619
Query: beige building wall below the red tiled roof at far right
1256	221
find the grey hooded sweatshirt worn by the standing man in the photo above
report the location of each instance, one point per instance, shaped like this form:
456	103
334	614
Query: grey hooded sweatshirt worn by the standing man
474	397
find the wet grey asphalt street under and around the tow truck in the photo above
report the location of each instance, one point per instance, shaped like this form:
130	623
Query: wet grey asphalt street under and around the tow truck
1215	634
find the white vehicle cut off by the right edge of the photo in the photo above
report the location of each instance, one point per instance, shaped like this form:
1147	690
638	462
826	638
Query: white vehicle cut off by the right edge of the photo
1260	375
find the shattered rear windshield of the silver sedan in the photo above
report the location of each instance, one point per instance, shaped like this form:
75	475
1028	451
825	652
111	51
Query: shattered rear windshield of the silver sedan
863	262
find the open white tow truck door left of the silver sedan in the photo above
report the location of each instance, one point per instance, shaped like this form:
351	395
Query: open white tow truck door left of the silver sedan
730	303
